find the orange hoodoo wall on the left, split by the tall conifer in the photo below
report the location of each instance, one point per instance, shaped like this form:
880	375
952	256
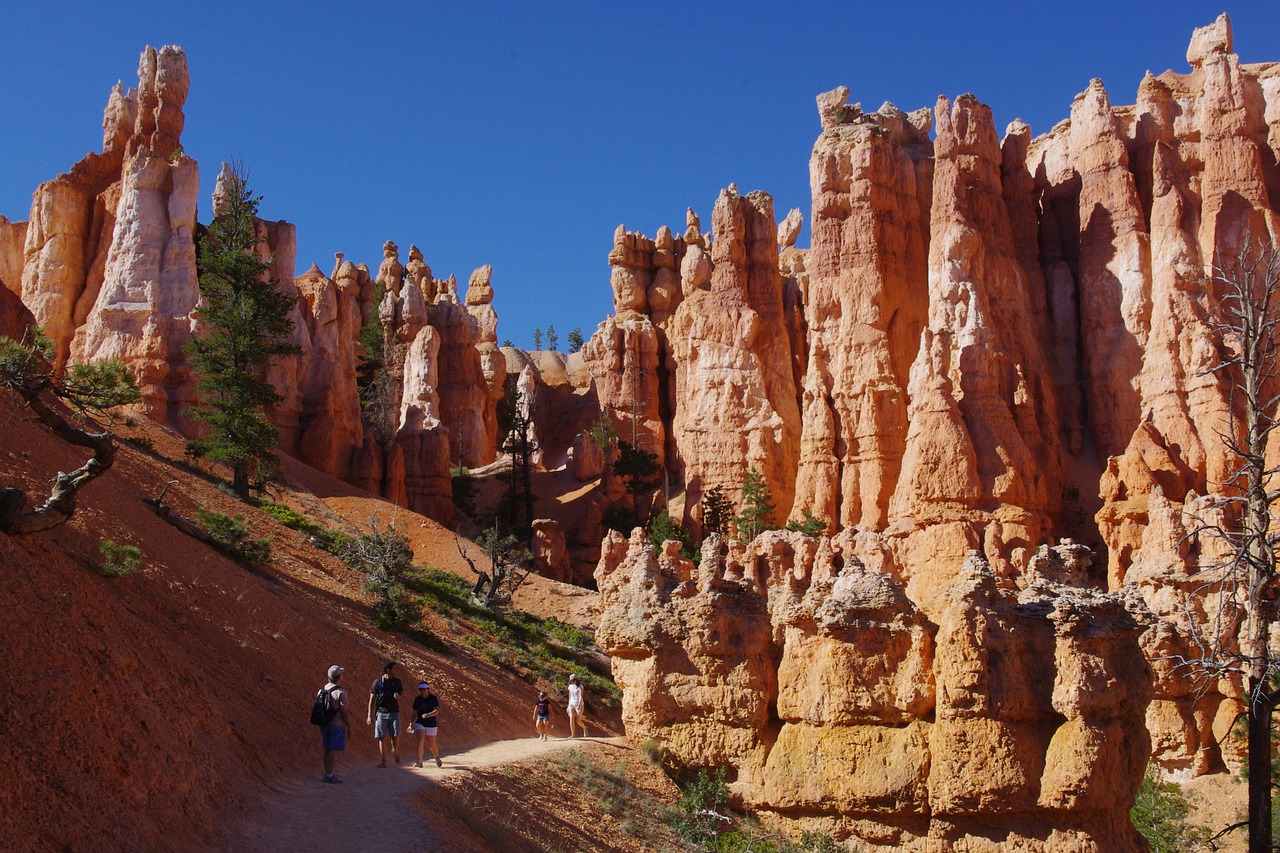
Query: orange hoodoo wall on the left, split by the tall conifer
107	267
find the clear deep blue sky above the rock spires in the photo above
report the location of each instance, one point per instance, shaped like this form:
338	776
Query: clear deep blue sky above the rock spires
520	135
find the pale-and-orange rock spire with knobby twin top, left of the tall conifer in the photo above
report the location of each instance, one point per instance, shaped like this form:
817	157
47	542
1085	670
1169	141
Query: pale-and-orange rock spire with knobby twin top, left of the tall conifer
109	258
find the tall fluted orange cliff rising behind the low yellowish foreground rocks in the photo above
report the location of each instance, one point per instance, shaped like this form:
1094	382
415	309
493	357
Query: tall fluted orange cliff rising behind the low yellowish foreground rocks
994	341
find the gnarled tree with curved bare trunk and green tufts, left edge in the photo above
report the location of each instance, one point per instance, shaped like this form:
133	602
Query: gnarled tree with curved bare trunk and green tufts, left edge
93	391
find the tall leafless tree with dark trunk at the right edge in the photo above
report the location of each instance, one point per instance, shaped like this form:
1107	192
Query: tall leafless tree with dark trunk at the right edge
1236	642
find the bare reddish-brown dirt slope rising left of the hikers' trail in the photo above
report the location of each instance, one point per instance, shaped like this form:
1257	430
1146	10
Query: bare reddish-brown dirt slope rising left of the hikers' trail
156	711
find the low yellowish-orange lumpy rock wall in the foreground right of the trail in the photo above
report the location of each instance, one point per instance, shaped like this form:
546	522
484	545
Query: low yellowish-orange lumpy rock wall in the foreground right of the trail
807	668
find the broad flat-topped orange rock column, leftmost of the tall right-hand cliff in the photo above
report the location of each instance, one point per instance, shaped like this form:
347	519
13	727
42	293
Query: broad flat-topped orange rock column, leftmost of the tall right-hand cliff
866	305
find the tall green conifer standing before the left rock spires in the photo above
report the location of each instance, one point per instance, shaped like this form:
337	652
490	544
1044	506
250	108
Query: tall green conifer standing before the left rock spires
245	320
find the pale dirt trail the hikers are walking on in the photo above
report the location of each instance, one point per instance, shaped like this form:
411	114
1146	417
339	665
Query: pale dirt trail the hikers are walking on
374	806
